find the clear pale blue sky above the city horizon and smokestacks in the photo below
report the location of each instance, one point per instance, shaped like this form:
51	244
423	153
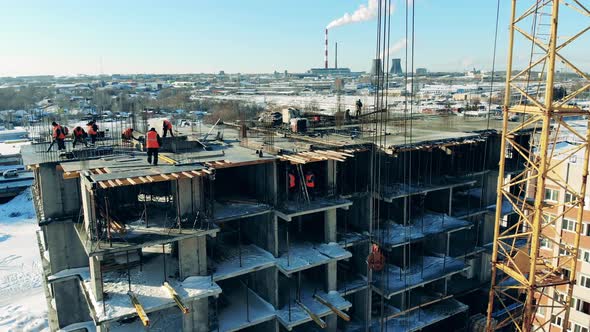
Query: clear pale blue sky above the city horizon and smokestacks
132	36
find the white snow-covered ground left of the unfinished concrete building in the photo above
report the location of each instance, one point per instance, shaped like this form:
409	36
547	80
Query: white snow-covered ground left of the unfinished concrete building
22	301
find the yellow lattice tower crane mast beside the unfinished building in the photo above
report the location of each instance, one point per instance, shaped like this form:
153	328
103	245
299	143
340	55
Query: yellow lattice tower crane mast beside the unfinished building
524	277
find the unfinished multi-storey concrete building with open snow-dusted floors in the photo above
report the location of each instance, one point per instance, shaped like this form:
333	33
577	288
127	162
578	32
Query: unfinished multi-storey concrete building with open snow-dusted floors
218	239
